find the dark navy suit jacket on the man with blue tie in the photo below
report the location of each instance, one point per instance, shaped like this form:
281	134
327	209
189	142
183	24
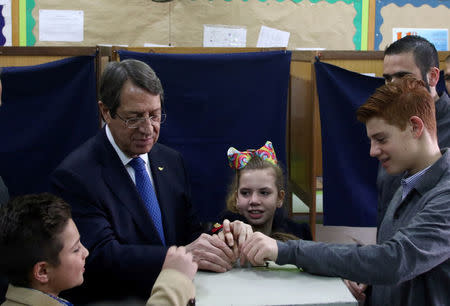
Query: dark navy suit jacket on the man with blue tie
126	253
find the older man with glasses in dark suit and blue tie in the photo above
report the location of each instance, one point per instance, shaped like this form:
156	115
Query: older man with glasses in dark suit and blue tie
130	195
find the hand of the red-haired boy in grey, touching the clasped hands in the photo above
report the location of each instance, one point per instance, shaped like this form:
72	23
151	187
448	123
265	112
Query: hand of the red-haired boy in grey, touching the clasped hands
259	248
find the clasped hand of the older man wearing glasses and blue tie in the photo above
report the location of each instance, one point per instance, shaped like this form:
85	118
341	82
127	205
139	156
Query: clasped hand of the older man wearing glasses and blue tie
211	253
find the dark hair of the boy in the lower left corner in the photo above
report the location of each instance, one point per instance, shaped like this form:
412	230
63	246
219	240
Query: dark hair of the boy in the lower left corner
29	229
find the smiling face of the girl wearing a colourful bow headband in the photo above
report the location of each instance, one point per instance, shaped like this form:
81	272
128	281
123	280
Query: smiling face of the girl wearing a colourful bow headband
257	196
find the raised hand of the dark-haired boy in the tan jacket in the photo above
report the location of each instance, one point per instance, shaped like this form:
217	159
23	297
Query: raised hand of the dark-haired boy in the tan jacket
178	259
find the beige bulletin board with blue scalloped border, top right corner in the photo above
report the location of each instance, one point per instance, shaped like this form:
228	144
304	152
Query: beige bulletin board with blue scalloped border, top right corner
408	14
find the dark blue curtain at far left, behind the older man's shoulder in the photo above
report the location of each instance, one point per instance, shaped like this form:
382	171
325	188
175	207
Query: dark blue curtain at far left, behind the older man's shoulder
48	110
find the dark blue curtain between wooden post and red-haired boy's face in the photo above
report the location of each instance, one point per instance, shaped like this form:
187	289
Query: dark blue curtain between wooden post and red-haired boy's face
349	173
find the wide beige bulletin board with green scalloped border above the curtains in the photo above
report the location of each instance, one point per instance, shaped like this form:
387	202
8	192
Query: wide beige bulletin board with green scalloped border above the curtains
330	24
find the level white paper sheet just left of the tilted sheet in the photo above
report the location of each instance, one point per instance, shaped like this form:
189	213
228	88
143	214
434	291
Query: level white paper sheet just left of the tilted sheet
224	36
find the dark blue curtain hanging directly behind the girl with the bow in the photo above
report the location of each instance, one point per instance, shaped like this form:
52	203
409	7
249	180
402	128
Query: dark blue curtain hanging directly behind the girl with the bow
214	101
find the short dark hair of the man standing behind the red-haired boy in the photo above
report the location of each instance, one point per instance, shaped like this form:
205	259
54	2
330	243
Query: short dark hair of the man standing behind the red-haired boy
424	52
